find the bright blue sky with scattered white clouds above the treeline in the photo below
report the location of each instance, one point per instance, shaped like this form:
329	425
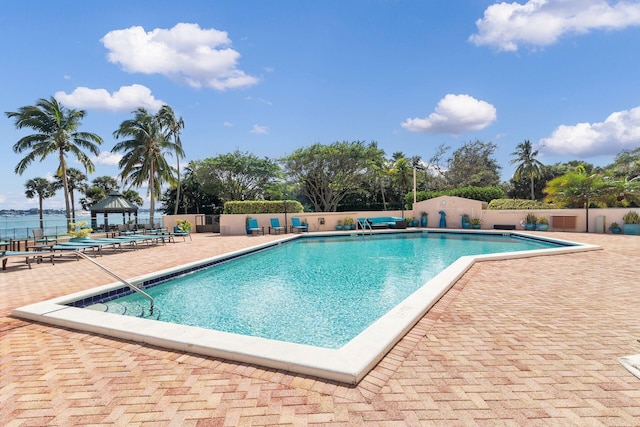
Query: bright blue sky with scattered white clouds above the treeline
268	77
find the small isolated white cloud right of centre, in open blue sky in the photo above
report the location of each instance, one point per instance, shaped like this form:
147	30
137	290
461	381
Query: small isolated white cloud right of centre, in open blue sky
454	114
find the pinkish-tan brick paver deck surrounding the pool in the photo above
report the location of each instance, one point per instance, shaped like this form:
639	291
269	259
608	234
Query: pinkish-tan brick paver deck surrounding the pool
531	341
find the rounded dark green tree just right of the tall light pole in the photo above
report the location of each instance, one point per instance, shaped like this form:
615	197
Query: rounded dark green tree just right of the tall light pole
473	164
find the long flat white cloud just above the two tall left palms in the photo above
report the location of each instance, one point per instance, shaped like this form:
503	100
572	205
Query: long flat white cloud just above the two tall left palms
127	98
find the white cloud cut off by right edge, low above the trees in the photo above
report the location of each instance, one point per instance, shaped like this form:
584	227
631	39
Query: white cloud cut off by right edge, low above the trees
621	130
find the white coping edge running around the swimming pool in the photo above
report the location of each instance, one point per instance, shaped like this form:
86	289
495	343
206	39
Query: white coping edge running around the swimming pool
348	364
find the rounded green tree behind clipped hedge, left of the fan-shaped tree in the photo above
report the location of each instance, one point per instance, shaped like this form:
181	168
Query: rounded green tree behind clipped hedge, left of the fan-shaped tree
236	176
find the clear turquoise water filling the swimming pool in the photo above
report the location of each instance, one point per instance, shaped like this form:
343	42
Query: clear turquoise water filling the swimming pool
317	291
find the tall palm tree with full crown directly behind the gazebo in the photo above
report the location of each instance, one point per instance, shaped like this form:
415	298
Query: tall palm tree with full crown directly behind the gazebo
144	154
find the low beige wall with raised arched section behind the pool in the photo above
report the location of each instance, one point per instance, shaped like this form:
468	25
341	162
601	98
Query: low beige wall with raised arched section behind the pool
454	207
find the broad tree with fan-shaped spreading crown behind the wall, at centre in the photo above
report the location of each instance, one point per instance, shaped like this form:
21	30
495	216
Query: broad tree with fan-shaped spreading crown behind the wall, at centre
326	174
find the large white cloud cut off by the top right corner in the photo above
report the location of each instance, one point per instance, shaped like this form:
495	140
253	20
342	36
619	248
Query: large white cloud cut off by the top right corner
506	26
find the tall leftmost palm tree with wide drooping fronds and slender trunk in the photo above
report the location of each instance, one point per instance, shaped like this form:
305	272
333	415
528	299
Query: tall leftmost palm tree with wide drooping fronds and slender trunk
56	133
